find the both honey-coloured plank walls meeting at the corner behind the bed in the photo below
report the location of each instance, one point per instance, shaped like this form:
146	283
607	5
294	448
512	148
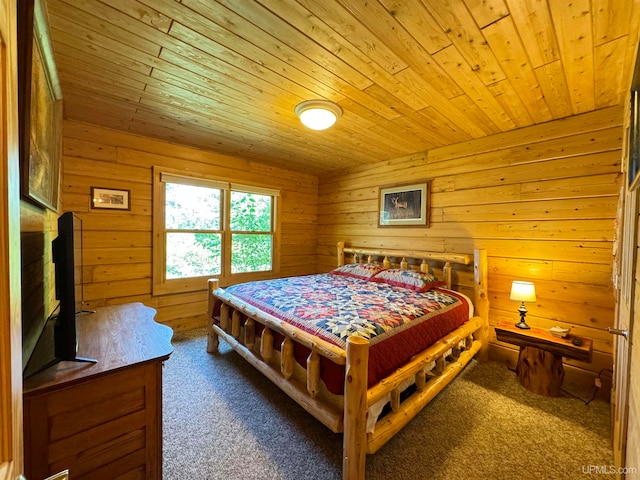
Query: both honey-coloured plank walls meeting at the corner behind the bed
541	200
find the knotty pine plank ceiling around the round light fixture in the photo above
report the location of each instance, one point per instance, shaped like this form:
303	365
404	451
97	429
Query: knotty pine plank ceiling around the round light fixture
410	75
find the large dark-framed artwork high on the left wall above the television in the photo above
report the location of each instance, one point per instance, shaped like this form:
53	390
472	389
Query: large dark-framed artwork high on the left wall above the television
40	109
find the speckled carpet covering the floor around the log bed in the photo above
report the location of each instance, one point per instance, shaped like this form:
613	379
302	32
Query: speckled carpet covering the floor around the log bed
223	420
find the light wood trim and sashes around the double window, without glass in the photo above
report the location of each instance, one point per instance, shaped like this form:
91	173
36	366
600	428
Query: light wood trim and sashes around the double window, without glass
163	286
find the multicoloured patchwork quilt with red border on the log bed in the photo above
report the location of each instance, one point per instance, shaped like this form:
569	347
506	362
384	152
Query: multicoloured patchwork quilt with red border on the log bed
398	322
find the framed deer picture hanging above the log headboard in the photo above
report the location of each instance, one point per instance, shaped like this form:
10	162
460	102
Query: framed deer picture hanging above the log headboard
405	205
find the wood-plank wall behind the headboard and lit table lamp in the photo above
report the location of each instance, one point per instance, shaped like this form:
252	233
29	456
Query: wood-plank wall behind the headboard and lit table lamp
542	200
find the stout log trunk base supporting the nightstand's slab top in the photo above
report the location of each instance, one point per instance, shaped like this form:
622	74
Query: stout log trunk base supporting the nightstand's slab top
540	371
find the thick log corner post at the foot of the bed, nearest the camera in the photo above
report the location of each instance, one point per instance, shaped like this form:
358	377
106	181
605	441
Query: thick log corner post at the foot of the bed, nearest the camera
354	446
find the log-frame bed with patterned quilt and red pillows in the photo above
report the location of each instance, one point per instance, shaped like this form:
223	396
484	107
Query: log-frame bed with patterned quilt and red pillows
360	348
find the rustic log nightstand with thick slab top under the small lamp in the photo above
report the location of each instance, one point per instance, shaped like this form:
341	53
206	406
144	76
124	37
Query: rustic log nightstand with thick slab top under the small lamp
539	366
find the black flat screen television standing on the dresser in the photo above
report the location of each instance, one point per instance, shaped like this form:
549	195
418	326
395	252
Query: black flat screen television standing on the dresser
67	258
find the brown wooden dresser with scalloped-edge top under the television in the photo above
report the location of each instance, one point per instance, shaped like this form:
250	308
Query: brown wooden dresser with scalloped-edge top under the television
101	420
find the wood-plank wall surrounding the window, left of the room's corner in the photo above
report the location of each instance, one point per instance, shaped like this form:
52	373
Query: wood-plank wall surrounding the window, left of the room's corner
117	244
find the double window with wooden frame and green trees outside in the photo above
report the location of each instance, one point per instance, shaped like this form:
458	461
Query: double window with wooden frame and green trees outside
207	228
